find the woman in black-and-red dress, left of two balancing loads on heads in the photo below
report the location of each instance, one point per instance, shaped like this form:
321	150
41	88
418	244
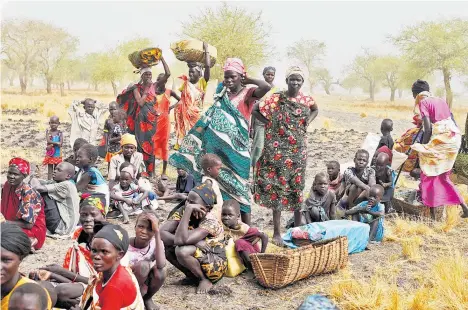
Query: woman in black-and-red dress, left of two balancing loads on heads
139	101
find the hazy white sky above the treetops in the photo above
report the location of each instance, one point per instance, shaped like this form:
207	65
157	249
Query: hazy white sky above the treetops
345	27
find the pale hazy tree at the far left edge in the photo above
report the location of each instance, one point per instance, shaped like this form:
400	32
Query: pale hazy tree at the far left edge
22	41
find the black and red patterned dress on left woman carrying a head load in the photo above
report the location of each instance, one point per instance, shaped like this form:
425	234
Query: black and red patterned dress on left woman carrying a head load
141	121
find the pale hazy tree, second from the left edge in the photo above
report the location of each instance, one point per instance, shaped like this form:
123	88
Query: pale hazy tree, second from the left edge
57	47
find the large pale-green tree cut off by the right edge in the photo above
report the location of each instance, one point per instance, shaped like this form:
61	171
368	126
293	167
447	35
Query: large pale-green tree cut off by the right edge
441	46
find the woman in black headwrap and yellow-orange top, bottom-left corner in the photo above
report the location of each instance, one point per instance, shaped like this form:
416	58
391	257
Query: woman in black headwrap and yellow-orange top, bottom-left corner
15	247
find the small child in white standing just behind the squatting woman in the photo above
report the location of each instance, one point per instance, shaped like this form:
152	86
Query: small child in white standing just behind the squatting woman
211	164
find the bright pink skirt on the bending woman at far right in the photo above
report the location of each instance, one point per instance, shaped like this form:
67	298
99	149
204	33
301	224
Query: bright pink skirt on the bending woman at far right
439	191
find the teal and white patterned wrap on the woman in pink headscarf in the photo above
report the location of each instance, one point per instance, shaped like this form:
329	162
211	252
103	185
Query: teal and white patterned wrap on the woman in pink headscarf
223	131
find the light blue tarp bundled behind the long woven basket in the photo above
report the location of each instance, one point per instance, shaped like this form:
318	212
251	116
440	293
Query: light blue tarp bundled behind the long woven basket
357	233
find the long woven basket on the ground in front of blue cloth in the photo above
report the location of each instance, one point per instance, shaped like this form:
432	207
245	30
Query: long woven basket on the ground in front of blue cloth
276	270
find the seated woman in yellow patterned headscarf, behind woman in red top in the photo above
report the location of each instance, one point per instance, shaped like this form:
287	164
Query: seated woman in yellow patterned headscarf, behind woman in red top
71	279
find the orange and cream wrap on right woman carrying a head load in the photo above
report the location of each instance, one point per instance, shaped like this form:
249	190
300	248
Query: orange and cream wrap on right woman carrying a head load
188	111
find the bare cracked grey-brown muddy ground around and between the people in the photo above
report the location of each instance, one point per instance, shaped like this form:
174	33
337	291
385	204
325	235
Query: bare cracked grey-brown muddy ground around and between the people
242	292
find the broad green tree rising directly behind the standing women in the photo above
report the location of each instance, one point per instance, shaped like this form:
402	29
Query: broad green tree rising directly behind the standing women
234	32
